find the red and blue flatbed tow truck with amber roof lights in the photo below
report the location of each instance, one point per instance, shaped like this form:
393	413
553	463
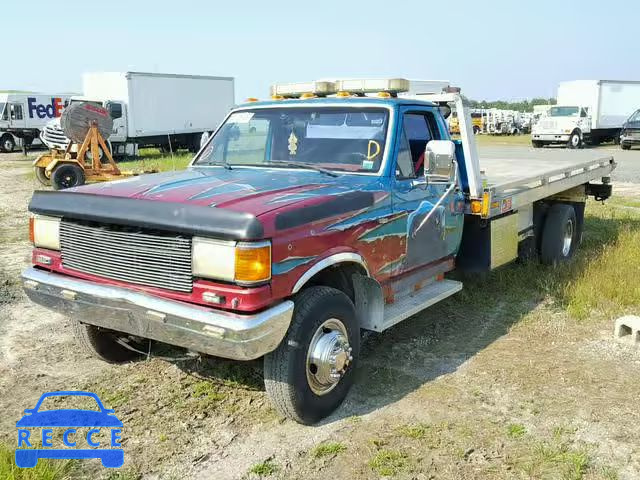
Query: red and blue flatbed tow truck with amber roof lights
329	210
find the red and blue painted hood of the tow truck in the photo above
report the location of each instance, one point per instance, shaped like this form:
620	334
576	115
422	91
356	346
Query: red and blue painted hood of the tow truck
250	190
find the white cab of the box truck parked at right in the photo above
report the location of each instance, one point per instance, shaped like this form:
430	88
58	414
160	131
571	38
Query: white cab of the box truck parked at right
562	124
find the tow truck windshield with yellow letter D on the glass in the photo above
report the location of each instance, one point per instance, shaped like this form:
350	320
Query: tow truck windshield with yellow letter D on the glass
340	139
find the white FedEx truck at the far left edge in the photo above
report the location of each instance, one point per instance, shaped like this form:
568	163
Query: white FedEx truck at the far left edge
24	115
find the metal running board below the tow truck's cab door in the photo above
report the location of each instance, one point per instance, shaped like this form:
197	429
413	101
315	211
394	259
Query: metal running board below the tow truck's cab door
416	302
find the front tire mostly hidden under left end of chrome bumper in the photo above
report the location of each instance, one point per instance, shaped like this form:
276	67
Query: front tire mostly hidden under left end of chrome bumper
102	343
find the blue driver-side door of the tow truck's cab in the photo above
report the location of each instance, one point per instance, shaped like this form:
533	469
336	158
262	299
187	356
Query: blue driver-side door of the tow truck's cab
440	236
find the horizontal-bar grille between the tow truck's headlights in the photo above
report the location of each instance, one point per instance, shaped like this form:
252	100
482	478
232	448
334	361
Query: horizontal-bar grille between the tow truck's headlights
147	258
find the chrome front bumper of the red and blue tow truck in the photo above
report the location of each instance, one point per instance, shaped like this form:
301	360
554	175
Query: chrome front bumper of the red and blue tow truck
206	330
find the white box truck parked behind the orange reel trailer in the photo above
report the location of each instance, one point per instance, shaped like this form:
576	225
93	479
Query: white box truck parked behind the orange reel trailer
153	109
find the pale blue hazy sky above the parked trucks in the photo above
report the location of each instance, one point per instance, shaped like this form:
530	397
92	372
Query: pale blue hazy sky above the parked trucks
493	50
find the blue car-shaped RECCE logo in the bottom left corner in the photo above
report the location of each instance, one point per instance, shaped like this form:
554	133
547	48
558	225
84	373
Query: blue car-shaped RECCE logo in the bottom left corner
69	419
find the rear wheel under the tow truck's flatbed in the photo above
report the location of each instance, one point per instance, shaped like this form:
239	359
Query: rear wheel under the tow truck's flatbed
560	235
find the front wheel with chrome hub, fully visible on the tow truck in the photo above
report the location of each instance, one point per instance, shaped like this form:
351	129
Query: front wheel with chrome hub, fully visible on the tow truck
310	373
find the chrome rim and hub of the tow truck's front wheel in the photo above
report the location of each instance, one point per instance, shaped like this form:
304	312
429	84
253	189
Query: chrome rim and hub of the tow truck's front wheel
329	356
